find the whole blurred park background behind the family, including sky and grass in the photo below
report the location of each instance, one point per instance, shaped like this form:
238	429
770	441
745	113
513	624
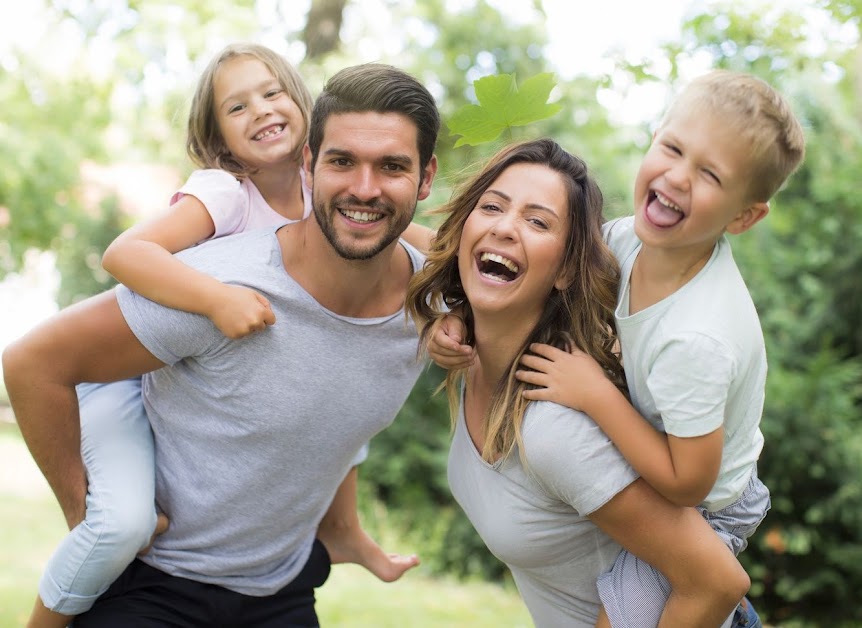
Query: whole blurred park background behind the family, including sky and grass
95	96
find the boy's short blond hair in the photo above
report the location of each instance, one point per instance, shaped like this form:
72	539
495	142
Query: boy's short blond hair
758	115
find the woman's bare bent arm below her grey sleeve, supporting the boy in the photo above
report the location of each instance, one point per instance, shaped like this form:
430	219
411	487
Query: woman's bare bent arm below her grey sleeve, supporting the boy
707	581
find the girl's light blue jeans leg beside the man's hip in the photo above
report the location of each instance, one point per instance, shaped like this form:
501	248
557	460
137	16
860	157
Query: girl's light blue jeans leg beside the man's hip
117	447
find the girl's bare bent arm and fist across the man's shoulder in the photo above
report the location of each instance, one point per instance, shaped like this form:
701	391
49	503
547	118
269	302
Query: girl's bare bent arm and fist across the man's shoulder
142	259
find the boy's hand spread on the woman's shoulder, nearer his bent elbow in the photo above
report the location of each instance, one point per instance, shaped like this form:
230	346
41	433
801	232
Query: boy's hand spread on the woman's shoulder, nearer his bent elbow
568	379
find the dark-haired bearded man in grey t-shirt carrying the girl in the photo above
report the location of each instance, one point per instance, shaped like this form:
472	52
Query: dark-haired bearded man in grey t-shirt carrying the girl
253	436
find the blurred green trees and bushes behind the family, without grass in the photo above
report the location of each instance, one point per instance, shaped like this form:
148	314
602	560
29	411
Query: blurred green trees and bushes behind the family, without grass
803	264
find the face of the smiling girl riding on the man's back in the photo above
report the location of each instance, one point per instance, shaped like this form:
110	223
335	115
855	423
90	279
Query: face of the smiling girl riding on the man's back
260	123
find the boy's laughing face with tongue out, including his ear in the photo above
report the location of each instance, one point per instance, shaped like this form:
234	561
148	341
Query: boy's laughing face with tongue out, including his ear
693	184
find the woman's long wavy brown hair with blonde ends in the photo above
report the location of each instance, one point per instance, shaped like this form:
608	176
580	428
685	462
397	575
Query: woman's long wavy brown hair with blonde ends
580	316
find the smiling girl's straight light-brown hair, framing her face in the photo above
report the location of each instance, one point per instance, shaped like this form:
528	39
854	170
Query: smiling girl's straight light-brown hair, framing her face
205	144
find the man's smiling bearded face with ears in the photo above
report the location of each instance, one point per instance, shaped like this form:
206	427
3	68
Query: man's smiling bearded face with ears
367	181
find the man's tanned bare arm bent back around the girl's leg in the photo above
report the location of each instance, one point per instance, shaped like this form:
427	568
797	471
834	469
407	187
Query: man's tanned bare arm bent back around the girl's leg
87	342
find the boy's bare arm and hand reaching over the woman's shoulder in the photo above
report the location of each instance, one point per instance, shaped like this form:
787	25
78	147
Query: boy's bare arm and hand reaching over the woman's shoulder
683	470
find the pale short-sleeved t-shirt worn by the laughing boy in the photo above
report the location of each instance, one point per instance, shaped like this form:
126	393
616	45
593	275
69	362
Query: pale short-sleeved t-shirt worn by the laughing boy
696	361
